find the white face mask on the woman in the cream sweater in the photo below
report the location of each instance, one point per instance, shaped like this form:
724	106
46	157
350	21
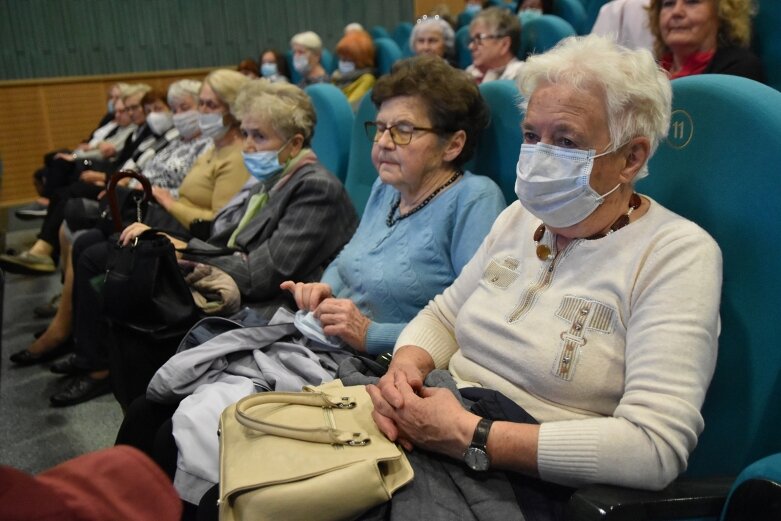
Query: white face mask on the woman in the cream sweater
553	183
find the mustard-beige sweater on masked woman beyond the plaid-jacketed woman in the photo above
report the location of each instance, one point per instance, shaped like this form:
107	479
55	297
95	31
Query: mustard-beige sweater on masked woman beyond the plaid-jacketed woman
215	177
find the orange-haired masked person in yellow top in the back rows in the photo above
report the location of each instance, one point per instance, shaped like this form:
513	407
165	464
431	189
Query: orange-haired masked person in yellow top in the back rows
355	75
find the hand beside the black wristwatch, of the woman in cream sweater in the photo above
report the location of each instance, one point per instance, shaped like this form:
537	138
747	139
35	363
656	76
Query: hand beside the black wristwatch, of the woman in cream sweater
434	419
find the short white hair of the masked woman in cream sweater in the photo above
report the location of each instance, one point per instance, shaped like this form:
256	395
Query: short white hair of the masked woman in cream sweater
637	92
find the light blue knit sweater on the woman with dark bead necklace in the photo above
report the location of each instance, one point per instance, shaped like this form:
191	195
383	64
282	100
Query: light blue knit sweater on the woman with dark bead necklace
390	273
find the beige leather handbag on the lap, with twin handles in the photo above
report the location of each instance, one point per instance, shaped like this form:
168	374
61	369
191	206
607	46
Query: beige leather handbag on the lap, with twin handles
312	455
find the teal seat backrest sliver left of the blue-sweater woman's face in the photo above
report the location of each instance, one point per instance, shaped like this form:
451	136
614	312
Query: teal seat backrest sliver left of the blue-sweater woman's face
361	173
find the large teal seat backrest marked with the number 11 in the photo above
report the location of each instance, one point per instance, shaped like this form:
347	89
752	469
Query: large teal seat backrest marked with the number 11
719	168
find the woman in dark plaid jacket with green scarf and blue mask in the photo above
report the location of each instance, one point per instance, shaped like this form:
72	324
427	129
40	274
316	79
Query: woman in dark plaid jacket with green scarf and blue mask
296	218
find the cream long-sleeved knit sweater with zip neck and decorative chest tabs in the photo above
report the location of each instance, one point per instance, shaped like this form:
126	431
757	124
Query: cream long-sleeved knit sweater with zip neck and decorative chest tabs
611	348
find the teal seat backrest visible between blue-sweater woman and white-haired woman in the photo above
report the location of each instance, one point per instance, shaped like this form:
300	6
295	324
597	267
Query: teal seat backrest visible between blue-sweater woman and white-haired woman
498	145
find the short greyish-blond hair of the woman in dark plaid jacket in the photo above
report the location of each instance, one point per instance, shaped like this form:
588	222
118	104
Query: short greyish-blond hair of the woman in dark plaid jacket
287	108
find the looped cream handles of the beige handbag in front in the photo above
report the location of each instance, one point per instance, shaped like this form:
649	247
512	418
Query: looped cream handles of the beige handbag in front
310	397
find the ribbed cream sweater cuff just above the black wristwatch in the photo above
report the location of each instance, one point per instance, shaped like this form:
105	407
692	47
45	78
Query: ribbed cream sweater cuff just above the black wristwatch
567	452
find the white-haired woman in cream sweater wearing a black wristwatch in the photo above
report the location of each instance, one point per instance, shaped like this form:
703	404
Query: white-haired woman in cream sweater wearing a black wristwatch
572	307
